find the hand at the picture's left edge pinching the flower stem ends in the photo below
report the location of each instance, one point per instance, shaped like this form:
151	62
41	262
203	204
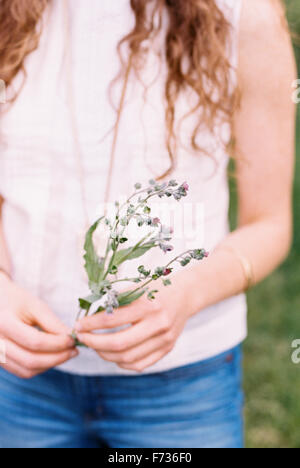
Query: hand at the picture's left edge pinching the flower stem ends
30	351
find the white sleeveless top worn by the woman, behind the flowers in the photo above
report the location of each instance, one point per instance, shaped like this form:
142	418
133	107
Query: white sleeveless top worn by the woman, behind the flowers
39	180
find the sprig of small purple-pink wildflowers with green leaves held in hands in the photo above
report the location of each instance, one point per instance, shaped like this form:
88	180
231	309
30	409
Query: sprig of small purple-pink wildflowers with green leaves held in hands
100	268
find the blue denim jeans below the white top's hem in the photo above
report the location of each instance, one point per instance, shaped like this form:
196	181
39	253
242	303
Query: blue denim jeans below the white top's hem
196	406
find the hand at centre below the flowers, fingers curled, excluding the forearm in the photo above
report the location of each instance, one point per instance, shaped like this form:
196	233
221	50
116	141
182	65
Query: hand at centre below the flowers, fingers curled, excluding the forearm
154	329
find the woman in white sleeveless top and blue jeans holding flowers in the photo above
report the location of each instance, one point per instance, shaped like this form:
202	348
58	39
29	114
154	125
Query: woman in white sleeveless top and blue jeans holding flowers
195	75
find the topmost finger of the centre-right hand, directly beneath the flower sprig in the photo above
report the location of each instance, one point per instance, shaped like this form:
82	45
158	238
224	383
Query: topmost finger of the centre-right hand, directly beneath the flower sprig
119	318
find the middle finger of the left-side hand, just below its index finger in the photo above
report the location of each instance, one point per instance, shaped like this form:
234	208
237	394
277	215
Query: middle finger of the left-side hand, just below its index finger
35	361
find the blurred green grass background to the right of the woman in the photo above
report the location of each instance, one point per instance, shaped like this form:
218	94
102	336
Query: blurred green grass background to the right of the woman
272	382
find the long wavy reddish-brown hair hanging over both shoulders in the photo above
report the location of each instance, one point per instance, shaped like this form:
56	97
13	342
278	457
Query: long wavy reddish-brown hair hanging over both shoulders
195	50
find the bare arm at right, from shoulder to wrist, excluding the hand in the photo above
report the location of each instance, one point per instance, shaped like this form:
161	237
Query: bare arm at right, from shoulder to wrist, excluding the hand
264	134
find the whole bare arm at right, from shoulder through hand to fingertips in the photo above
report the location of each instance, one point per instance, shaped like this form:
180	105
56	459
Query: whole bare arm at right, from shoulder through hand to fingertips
265	142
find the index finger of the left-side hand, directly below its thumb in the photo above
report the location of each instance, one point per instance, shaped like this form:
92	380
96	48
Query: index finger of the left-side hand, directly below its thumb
34	340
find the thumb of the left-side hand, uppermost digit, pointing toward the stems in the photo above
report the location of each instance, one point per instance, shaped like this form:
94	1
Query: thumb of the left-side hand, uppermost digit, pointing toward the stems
47	320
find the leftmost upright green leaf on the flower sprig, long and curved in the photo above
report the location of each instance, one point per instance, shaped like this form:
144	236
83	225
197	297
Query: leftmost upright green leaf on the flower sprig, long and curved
94	265
